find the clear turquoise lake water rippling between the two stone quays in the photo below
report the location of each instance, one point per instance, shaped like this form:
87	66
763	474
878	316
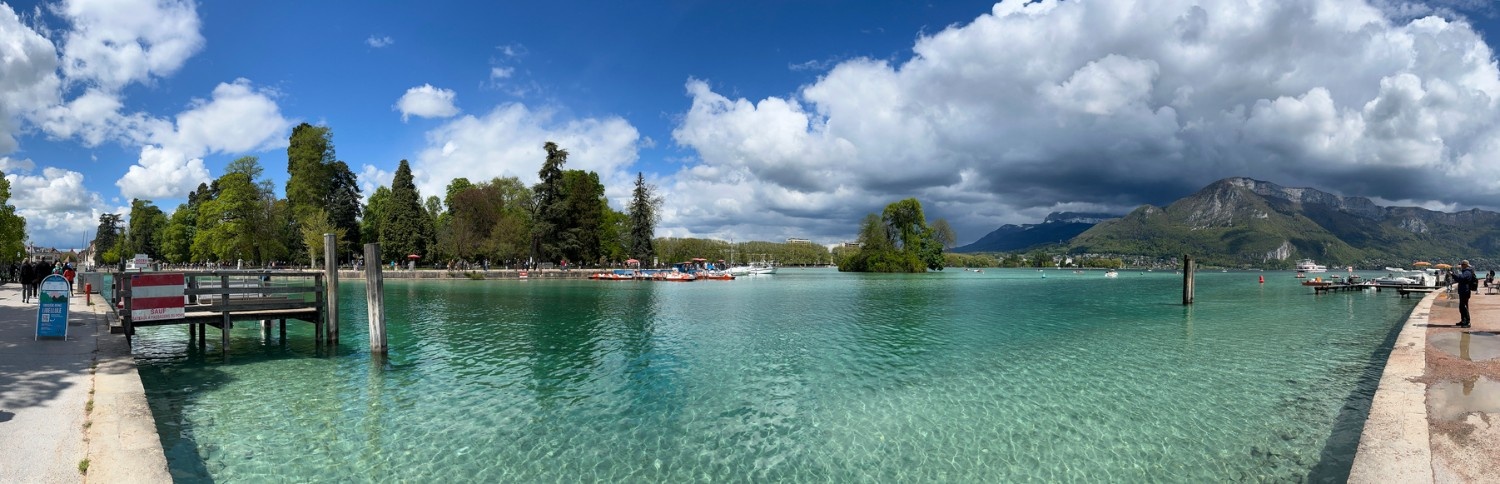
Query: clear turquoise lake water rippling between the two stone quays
800	377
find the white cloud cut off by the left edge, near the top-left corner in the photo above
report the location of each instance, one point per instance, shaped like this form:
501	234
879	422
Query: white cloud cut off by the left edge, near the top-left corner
28	76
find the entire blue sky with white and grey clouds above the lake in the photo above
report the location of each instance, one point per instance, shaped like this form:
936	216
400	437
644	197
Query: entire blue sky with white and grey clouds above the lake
760	121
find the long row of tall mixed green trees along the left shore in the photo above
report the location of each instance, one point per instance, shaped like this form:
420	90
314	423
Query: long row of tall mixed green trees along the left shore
238	218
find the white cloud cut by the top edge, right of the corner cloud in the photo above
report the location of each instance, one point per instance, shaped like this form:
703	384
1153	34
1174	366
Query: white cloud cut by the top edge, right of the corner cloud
116	43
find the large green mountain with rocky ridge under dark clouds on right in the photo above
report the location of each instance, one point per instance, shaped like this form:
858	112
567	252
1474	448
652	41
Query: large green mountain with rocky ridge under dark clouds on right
1252	223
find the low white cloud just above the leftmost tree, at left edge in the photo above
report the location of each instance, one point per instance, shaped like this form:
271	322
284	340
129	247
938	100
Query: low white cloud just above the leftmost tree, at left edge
59	211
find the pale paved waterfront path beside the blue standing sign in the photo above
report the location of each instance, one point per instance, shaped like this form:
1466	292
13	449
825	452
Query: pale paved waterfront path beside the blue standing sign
47	423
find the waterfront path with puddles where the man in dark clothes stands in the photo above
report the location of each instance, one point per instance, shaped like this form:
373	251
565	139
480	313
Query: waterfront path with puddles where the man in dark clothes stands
1436	416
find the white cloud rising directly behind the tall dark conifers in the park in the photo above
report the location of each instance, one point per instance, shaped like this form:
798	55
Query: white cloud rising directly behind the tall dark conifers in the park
508	143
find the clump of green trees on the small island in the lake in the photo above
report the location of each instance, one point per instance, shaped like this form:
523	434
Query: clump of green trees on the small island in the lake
896	242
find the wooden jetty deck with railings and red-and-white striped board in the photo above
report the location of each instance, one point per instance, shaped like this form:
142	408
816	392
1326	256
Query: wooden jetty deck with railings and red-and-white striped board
220	299
